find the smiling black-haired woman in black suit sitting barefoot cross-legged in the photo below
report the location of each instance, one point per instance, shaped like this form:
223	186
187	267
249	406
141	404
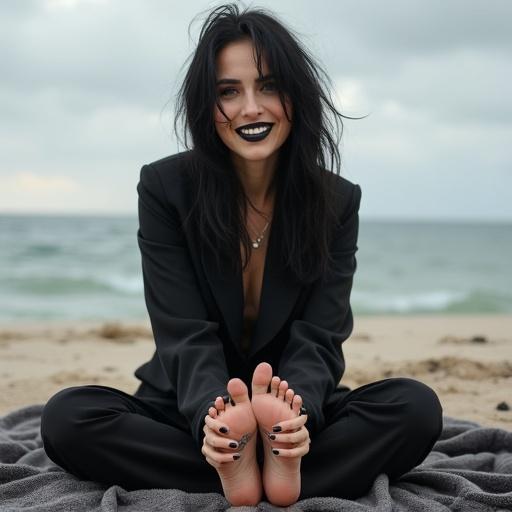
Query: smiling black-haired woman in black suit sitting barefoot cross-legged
248	249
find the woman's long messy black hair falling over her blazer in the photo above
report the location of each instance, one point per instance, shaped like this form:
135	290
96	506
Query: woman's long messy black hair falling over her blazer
302	181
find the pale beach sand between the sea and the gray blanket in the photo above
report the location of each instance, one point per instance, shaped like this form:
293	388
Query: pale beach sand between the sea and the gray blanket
466	359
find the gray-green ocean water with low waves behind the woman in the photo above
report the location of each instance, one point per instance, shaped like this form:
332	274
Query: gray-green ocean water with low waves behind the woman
88	268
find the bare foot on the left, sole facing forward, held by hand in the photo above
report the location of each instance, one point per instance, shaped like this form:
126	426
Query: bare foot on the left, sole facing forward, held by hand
240	478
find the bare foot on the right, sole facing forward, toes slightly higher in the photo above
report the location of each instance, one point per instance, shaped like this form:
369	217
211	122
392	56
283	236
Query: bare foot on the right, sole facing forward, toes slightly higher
281	475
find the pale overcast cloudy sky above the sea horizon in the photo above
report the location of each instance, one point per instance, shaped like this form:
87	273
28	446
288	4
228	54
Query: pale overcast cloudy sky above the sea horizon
87	89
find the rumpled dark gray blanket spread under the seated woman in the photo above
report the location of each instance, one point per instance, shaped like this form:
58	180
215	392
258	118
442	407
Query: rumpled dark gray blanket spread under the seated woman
469	469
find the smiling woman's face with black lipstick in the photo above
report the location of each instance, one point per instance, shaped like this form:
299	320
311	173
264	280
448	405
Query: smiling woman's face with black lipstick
247	101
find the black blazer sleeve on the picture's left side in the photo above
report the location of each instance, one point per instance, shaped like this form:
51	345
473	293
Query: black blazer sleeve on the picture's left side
189	349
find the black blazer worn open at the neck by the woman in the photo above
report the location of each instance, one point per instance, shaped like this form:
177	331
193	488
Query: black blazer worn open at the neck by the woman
196	313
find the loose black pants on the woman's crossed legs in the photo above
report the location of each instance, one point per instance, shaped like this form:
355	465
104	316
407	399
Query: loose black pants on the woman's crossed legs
103	434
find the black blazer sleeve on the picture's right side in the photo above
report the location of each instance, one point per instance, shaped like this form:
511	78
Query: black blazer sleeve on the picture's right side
312	361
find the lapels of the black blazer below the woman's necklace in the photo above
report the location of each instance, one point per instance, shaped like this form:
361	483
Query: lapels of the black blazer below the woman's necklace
278	295
